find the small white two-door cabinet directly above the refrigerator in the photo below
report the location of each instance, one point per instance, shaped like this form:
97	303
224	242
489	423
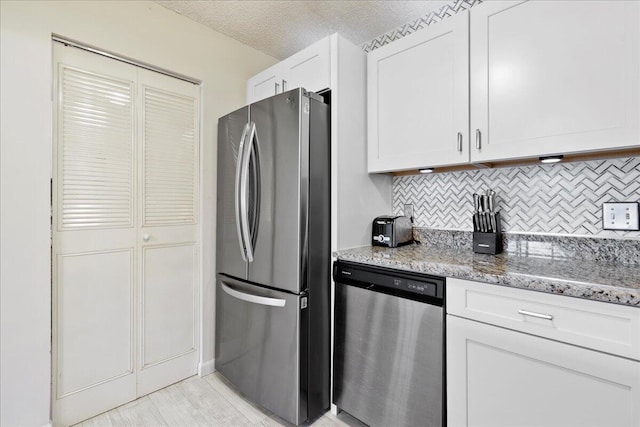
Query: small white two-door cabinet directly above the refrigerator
310	68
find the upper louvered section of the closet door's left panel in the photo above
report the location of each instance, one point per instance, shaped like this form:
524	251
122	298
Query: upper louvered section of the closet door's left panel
97	151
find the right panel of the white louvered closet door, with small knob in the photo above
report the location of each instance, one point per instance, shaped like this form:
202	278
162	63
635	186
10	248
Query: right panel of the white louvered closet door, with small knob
168	150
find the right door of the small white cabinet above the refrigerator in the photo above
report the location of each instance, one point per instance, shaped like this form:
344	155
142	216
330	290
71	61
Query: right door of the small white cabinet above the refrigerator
310	68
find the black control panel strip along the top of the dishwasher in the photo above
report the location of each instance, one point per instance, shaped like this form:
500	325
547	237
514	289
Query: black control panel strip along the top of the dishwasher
380	278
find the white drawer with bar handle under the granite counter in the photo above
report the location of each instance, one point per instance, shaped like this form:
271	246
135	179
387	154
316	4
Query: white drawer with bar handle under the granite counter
601	326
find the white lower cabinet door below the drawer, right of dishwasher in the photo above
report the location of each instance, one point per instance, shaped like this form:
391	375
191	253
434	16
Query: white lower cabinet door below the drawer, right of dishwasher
498	377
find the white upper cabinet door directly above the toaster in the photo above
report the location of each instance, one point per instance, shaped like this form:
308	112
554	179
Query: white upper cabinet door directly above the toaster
418	104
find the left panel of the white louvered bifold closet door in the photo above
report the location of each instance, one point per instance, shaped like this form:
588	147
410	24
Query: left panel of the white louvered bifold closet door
94	235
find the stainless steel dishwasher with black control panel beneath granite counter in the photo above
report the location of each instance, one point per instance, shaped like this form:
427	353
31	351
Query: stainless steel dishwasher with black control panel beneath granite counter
389	346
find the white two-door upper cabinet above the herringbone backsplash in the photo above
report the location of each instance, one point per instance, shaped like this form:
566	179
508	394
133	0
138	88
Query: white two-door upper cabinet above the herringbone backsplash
537	78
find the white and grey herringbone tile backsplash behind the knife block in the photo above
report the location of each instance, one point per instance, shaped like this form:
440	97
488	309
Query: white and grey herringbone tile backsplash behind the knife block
564	198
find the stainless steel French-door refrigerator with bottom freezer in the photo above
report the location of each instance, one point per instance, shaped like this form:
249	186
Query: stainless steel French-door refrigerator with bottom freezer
273	254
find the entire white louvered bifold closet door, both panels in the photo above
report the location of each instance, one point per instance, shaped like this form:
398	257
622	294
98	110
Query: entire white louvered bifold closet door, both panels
125	241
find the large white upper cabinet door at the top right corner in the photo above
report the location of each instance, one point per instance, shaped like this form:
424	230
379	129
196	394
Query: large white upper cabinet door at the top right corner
554	77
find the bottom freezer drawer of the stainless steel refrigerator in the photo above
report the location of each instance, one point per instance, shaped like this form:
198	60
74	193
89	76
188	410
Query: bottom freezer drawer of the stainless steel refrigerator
259	346
